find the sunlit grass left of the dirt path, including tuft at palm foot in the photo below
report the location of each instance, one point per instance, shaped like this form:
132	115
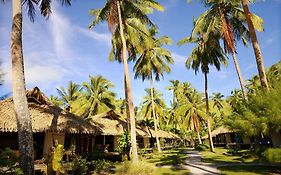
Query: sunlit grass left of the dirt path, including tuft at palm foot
168	162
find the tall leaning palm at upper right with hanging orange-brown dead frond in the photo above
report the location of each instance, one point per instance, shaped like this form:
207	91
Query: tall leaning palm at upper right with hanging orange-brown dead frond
227	19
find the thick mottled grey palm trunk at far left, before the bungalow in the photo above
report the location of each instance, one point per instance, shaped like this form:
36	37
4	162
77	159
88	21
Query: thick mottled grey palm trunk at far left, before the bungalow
25	138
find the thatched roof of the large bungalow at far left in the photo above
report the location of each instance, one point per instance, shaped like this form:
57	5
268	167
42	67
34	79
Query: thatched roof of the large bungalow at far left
45	116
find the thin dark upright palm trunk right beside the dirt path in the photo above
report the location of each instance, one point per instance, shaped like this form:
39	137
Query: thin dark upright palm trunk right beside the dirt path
208	114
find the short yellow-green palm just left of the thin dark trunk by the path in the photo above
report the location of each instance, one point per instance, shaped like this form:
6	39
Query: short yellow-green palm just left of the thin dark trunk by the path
191	108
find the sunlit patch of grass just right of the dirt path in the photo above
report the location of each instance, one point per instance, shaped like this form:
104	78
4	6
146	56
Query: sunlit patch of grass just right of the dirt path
221	156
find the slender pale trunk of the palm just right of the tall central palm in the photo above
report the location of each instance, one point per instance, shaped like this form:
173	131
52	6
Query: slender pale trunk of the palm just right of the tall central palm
155	119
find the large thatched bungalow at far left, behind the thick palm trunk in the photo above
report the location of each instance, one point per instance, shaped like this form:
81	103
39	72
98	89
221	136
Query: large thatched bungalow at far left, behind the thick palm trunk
49	124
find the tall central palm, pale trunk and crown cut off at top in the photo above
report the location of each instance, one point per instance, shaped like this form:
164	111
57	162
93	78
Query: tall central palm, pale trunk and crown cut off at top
115	13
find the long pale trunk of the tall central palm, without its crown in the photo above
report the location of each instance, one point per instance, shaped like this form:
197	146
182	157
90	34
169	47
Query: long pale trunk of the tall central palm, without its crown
129	89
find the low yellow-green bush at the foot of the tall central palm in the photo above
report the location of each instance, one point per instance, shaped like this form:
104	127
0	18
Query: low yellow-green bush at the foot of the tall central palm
140	168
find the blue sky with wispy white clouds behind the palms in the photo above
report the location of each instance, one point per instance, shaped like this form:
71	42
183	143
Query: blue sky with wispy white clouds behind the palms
62	48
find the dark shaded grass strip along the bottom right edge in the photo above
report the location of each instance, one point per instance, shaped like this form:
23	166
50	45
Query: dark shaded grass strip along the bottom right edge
250	170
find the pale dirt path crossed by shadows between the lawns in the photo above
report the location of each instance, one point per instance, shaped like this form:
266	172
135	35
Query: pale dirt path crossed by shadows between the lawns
197	167
